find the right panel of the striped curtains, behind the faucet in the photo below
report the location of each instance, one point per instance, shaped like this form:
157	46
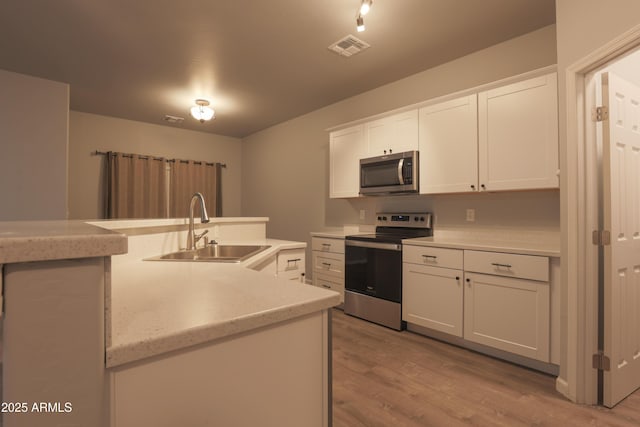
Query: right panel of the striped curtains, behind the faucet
189	177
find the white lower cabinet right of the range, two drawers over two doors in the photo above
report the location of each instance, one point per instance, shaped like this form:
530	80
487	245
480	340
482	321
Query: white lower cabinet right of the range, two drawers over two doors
499	300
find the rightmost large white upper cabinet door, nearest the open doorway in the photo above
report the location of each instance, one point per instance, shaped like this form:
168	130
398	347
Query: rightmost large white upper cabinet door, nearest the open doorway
518	135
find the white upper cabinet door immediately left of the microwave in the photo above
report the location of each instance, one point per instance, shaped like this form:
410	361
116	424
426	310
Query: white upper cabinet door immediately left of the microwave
346	148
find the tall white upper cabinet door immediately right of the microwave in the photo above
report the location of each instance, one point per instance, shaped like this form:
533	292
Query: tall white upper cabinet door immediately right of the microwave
449	146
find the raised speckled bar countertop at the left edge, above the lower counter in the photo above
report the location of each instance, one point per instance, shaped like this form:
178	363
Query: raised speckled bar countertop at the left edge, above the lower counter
25	241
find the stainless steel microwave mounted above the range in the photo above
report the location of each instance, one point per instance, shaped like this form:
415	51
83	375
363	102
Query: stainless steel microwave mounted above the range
388	174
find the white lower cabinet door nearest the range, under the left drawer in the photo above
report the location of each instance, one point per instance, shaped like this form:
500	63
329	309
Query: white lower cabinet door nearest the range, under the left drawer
432	297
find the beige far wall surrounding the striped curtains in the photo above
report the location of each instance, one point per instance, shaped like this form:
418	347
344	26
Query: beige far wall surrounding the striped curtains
90	132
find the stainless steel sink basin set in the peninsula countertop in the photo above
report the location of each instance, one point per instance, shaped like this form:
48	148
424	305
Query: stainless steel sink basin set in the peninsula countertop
214	253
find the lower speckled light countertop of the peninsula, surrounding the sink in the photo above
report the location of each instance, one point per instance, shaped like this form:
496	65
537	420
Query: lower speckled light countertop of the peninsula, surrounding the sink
158	307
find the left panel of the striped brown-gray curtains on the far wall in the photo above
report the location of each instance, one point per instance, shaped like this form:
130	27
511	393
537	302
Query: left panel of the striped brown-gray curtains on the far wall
136	186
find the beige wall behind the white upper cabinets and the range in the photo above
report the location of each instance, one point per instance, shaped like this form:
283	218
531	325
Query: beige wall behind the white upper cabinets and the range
285	168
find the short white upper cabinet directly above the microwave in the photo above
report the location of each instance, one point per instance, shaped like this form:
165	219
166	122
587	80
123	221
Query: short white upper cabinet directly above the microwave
392	134
